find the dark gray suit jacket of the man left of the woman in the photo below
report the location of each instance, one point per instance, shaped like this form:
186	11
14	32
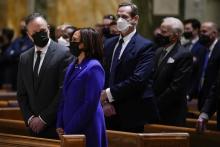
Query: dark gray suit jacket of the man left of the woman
44	101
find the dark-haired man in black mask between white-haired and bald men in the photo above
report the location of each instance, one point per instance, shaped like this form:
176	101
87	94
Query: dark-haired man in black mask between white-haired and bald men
191	34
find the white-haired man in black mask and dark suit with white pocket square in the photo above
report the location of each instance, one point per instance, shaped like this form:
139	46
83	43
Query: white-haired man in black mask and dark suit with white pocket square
173	65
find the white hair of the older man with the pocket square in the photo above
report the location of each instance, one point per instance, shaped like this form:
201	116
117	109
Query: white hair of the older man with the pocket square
175	24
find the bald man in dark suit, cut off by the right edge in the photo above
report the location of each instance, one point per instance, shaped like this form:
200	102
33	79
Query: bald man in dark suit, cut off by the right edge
209	100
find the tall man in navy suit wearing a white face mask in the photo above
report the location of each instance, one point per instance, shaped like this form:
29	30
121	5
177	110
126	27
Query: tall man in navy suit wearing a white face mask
128	101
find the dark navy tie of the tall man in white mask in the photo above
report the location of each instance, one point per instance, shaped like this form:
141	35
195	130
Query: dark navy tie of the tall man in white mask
115	62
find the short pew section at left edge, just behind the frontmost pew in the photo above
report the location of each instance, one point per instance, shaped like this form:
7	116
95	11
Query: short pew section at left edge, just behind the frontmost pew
11	113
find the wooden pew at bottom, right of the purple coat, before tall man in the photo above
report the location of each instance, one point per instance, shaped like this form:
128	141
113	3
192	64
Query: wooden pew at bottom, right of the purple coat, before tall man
126	139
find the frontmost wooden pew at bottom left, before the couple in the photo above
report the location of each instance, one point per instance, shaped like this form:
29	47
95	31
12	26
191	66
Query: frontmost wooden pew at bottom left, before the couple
9	140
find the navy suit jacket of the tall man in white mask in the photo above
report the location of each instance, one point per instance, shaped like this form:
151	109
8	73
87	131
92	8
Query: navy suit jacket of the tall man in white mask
132	88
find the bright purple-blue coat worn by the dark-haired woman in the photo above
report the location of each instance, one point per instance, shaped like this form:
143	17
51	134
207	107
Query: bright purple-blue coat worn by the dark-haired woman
80	111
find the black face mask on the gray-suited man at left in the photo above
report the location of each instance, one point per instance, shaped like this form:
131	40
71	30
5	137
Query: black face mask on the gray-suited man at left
40	38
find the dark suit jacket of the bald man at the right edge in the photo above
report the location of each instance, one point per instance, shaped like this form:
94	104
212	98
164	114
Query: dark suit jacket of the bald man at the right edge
210	75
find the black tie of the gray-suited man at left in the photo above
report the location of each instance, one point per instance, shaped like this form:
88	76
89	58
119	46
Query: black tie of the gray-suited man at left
36	67
